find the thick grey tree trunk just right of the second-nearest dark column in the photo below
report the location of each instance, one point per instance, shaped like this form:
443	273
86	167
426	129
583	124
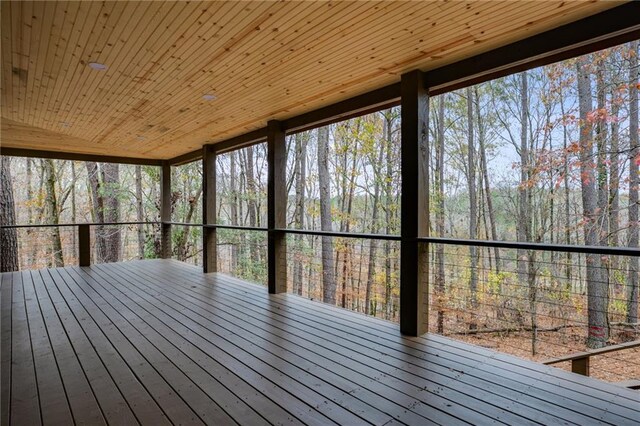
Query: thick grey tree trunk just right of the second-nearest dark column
328	277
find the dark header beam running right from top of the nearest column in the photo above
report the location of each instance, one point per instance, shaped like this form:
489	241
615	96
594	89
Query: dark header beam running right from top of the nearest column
603	30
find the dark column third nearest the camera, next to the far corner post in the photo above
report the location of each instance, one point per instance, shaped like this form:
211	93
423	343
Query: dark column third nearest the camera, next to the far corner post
210	241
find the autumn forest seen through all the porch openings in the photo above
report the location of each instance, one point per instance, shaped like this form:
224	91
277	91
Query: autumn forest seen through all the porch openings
549	155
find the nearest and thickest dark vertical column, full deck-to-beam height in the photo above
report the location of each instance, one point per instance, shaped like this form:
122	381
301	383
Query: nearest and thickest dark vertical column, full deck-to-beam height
414	266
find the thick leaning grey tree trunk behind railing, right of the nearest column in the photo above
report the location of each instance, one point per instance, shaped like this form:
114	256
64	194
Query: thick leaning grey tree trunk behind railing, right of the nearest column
597	294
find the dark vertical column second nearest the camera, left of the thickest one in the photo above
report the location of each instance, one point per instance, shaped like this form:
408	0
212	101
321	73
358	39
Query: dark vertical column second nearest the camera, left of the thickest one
277	207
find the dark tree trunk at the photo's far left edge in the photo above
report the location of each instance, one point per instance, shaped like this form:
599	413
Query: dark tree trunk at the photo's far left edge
8	236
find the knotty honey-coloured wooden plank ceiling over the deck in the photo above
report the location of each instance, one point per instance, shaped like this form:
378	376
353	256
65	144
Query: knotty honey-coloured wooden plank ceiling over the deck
261	60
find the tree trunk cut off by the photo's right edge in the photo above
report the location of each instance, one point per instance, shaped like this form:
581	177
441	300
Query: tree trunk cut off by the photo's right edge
634	186
